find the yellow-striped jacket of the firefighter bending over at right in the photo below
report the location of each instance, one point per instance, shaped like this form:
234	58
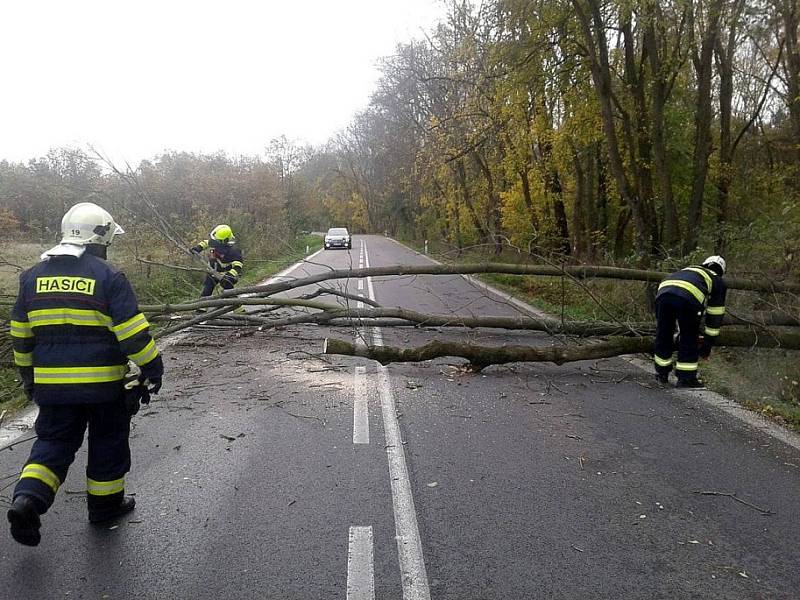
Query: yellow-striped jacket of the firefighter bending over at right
705	291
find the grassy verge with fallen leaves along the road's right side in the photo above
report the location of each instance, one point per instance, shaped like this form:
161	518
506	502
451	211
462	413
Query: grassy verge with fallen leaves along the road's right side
764	380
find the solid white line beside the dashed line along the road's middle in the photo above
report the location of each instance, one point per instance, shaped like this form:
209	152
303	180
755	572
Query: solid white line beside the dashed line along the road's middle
409	545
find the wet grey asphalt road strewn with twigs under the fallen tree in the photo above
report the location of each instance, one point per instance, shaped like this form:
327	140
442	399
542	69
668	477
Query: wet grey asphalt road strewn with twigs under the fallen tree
267	471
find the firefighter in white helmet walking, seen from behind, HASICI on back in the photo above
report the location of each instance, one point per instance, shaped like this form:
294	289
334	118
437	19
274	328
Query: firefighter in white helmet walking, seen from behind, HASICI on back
74	326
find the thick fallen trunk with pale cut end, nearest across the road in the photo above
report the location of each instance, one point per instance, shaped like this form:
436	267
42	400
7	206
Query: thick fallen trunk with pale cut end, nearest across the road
483	356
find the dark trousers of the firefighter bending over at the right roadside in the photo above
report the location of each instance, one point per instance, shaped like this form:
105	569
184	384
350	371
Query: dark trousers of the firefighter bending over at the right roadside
672	309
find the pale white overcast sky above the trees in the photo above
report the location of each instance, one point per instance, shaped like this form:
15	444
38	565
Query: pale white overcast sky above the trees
136	77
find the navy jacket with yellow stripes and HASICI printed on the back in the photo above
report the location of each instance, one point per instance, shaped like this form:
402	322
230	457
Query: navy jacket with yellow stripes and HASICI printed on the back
75	325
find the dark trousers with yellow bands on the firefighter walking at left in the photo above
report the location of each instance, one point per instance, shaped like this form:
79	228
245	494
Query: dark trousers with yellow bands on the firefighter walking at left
60	430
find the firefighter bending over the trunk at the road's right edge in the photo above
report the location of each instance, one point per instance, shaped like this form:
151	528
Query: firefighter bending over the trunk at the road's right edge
684	298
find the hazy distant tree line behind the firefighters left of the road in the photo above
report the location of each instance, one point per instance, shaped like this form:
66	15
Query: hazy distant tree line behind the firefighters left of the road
179	192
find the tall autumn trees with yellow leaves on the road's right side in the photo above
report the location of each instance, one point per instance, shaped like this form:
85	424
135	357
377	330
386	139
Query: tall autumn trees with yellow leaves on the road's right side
590	128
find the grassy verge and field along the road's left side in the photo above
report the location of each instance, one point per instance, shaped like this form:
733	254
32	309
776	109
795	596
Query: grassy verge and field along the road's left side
153	284
